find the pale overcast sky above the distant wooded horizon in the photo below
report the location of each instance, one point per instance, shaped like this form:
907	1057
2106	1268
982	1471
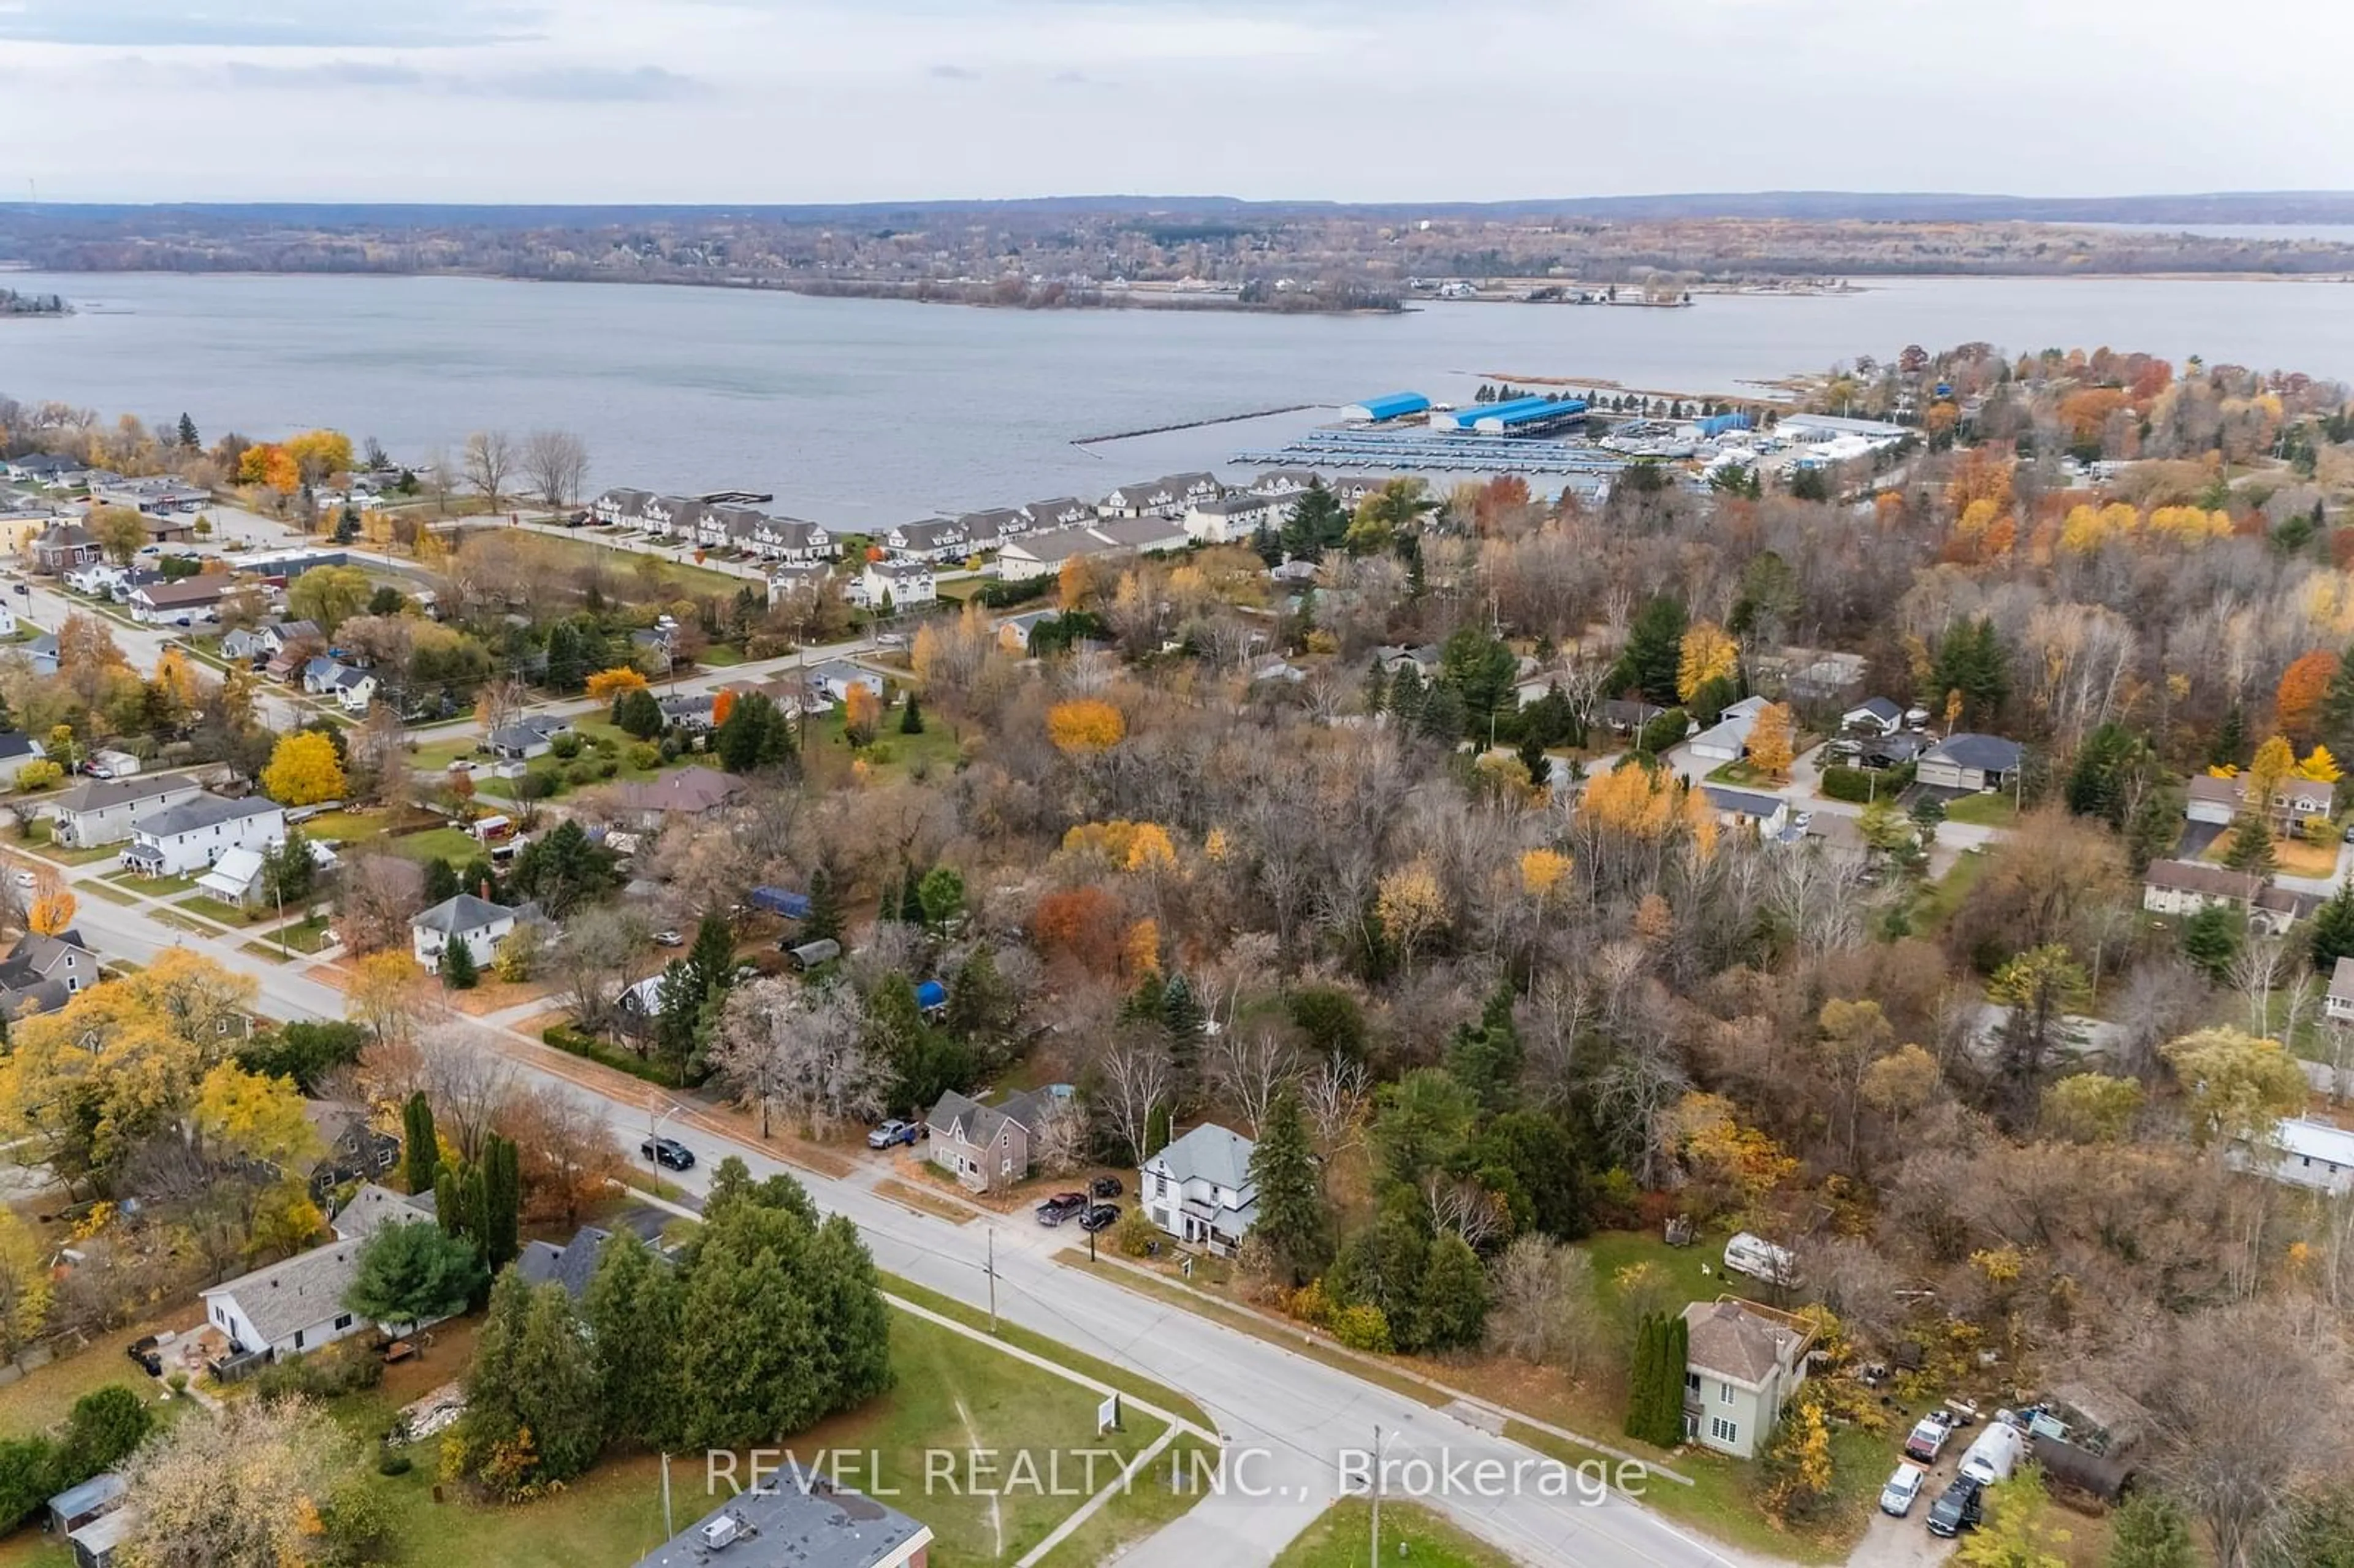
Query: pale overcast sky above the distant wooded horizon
1383	100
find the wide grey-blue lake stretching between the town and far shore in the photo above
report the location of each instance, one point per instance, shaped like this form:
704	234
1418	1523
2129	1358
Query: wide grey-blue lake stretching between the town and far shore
872	413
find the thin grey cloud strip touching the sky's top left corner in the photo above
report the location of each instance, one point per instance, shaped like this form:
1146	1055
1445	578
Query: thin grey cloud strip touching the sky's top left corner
314	25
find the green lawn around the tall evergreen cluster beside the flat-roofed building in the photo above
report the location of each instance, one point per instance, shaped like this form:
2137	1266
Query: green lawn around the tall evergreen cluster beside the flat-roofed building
950	1395
